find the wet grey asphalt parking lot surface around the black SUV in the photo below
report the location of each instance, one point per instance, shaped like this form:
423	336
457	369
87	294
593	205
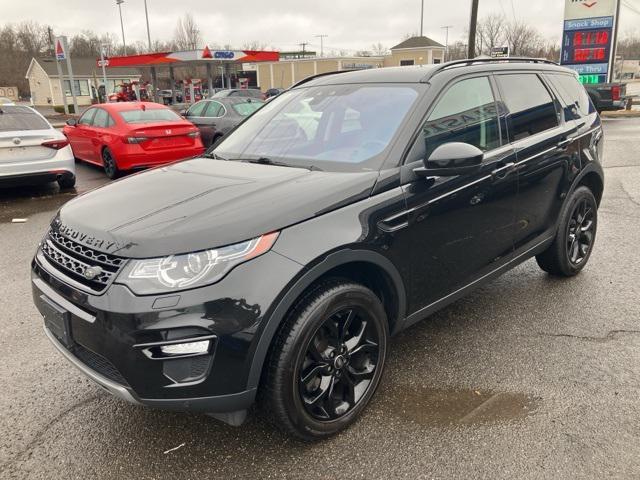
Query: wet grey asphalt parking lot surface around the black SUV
529	377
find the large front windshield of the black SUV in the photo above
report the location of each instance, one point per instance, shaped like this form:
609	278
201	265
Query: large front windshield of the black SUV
332	127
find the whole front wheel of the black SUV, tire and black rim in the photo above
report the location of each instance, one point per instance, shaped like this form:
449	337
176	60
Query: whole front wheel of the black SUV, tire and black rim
314	357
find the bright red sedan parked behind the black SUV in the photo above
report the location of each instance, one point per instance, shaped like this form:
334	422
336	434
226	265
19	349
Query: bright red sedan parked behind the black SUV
130	135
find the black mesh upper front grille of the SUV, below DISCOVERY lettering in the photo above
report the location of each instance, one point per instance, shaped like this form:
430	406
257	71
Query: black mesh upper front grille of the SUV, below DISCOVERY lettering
73	259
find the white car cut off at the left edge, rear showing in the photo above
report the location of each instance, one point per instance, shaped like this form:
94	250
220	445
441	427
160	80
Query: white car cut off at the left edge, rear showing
32	151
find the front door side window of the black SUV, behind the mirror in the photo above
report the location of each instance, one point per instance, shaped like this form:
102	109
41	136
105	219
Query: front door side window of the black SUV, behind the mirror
465	113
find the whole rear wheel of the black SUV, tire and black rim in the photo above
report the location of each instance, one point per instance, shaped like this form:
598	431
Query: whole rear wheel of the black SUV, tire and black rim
569	253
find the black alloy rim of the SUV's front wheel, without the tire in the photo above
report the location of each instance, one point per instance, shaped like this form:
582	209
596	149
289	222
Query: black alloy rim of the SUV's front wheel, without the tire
339	364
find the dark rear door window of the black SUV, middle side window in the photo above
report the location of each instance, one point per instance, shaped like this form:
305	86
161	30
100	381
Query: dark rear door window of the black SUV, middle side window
531	107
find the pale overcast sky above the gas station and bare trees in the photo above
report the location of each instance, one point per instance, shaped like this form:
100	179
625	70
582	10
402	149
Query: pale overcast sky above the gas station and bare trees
350	24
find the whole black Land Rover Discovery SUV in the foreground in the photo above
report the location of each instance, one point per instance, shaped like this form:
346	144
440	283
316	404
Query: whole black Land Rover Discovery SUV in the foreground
277	266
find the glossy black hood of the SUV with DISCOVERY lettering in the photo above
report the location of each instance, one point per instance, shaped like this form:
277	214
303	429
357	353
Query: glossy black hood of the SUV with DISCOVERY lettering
203	203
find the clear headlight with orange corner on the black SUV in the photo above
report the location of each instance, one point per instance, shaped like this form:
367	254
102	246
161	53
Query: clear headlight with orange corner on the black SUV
191	270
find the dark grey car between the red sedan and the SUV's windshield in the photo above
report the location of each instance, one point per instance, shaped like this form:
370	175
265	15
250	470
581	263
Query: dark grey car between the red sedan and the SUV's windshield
217	117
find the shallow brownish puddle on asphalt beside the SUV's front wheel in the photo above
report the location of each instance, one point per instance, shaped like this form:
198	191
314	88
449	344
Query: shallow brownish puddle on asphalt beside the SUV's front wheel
427	406
